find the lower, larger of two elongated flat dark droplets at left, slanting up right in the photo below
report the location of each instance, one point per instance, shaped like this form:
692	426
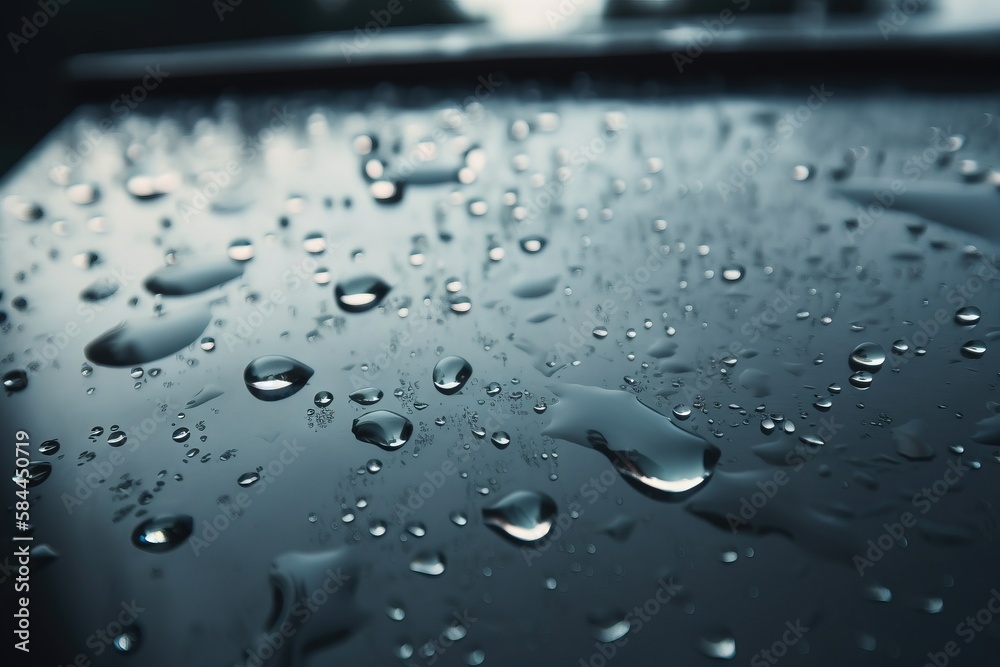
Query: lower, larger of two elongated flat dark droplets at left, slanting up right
140	341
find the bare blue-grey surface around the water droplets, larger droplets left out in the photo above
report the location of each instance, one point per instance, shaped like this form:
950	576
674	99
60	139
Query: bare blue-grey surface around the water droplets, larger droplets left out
204	608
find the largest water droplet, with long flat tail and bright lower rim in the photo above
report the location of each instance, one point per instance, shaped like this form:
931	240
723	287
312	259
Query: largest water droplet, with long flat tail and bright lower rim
645	447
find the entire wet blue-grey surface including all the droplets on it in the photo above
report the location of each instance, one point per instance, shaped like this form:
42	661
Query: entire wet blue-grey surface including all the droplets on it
744	346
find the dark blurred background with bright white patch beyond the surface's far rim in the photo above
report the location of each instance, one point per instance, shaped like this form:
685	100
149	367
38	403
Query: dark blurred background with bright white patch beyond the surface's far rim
38	46
